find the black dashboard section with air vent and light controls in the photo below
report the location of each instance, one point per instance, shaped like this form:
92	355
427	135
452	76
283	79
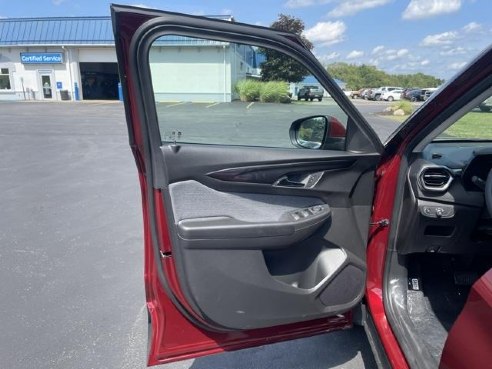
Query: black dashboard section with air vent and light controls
444	199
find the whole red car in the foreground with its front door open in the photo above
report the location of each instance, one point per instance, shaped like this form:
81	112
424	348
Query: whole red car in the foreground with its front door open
249	243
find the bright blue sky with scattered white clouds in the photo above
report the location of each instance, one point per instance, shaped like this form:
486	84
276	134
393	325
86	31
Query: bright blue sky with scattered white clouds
436	37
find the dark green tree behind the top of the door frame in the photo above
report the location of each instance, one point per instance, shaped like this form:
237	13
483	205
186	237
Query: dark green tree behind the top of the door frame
278	66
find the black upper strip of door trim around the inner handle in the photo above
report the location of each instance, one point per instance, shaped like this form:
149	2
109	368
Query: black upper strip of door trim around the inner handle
243	169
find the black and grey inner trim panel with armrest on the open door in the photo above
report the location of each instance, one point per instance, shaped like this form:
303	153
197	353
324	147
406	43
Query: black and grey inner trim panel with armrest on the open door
241	237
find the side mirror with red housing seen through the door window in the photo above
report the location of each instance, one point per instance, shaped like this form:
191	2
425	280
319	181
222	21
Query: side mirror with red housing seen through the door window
322	132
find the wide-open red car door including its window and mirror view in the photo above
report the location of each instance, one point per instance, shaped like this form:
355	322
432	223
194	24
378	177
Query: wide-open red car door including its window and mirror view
256	215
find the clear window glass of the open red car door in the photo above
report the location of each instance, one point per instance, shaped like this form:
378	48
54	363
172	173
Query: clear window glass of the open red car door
222	93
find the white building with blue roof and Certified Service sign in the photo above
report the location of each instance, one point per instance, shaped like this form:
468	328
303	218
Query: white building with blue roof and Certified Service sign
74	58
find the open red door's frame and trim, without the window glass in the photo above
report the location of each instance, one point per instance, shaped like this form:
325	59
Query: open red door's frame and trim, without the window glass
244	245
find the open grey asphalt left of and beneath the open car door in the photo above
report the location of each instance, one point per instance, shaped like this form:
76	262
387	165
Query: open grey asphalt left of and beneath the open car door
71	261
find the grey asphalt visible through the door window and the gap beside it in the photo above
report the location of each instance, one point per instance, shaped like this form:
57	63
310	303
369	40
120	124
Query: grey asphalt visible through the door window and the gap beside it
254	123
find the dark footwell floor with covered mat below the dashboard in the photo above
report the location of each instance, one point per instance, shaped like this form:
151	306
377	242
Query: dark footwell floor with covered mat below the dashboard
438	288
